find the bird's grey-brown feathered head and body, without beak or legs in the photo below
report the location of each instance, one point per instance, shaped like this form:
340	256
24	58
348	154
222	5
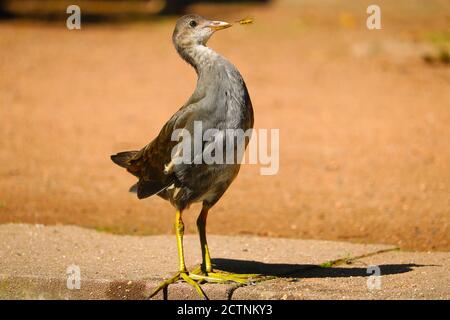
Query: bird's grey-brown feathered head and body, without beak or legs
220	101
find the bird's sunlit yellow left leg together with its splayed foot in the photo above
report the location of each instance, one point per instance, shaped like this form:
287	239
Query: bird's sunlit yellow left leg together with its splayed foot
182	274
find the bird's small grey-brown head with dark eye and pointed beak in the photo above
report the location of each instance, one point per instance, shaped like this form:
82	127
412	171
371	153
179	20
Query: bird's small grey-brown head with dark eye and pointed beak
193	29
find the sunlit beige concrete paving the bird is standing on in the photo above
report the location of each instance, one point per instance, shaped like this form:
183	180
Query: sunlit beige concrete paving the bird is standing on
34	261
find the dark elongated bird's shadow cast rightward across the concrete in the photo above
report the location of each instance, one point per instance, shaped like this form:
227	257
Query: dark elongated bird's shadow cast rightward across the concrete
284	270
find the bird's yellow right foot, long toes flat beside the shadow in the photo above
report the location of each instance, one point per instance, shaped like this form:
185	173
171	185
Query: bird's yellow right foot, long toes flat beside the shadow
224	277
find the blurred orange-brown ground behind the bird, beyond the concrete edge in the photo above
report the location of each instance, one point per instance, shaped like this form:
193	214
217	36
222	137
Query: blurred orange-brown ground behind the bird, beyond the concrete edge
364	116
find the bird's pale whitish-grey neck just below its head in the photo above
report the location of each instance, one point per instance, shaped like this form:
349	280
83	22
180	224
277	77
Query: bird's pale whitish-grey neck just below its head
199	56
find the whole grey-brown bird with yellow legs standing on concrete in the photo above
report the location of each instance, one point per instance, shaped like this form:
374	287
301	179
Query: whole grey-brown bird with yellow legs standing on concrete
220	102
